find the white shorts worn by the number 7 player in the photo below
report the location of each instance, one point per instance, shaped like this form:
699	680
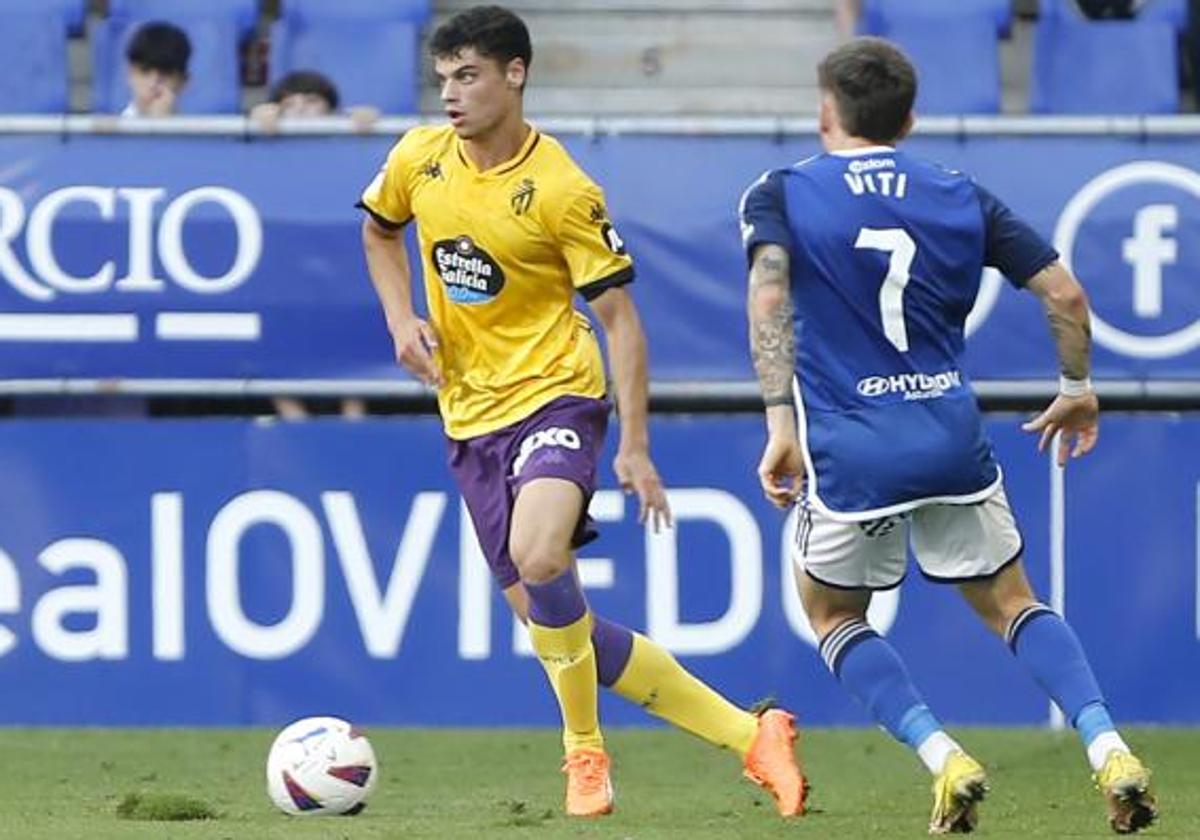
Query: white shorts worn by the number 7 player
951	543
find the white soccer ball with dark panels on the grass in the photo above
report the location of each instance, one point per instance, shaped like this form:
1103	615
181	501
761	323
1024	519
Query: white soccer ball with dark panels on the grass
321	766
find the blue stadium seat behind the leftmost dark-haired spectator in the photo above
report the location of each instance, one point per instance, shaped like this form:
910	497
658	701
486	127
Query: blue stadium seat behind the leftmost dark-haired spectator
217	34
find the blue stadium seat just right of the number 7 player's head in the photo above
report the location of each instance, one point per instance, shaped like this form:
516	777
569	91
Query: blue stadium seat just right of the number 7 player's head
958	64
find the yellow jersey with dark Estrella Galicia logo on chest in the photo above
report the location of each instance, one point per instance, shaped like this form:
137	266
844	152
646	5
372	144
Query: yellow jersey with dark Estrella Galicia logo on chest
503	253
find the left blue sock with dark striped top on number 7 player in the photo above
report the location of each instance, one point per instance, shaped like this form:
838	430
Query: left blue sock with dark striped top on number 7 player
875	675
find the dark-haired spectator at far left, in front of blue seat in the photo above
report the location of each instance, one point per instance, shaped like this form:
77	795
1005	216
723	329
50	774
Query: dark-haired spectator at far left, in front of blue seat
158	59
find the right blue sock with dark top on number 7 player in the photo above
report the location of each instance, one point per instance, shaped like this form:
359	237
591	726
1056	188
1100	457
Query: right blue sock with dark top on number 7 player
1049	650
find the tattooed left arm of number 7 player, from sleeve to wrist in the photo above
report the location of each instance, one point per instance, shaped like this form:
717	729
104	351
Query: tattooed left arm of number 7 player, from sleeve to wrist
772	334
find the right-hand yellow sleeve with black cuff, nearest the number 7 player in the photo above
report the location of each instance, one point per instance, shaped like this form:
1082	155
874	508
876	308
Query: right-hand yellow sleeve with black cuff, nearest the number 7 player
595	253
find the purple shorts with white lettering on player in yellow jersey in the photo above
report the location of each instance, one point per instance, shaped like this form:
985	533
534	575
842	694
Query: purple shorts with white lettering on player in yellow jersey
560	441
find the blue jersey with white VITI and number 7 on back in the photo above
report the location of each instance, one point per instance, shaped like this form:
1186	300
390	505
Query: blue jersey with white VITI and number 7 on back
887	254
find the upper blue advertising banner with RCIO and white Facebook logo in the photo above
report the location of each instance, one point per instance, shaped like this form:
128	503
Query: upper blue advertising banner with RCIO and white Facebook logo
229	257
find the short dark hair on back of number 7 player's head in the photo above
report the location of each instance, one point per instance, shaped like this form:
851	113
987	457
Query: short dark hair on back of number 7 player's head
874	86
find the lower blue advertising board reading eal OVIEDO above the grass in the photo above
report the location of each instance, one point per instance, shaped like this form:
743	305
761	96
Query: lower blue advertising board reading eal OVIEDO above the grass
241	573
